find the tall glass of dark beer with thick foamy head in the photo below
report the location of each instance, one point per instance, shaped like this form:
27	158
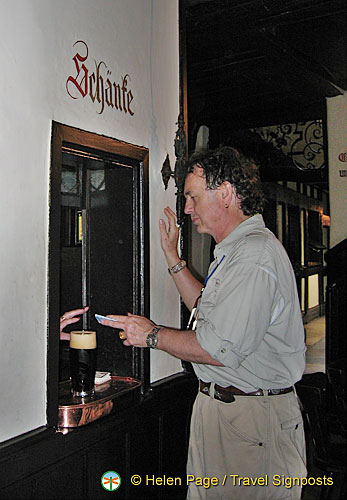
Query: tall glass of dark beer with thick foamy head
82	362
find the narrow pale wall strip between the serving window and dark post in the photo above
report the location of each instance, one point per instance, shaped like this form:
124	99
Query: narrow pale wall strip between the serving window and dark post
164	296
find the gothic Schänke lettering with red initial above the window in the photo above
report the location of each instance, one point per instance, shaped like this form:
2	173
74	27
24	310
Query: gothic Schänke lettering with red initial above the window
98	84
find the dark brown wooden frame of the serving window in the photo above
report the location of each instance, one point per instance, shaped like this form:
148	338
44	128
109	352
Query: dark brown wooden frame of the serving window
62	134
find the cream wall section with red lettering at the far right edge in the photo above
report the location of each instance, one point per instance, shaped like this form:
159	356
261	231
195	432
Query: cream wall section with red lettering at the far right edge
337	144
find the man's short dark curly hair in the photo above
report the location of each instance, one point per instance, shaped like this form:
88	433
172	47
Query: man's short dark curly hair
228	164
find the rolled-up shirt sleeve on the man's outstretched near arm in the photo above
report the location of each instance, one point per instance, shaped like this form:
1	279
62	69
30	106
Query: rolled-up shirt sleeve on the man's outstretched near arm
235	312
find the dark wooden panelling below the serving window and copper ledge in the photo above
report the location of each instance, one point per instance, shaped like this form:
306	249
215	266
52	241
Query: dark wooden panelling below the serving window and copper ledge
149	437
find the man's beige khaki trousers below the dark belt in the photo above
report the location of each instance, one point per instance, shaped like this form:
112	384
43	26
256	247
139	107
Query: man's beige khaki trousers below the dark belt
255	447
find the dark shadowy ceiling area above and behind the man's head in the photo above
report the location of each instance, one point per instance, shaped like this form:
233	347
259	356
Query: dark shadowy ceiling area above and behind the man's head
252	63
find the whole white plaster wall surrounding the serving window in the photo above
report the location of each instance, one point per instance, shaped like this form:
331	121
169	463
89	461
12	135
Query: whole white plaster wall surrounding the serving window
138	37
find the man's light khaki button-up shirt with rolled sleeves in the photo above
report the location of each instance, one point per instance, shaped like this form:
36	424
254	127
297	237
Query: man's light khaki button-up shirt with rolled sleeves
249	315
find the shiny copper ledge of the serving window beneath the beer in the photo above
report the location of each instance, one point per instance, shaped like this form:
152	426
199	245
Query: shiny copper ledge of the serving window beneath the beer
76	411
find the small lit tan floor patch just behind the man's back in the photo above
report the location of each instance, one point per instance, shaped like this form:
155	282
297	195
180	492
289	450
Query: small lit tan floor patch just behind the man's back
315	343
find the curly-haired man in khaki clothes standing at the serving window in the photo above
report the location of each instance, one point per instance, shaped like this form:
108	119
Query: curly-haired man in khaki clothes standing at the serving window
248	346
